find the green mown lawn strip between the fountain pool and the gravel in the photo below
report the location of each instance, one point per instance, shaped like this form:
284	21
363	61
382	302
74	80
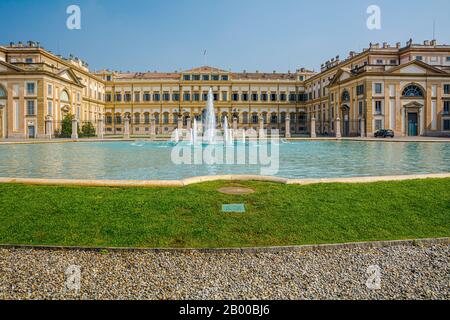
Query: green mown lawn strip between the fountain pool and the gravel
191	217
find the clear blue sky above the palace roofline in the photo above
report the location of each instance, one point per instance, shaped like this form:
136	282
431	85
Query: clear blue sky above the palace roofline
168	35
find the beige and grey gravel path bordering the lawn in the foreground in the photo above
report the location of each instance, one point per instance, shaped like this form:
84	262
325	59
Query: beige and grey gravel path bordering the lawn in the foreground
406	273
